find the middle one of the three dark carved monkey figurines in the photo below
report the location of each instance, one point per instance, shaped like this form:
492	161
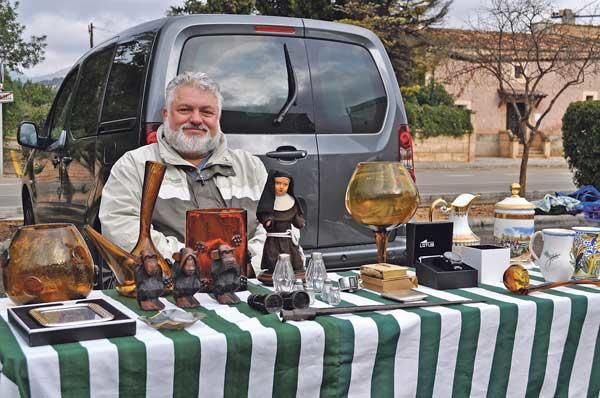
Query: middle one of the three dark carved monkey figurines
187	279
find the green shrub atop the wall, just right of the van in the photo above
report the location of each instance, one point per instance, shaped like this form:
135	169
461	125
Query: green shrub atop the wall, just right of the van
431	112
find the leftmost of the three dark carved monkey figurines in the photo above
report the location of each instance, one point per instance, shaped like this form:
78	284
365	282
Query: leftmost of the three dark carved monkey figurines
149	282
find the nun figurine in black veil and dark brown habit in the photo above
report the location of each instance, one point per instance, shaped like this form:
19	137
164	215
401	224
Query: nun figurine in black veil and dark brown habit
278	209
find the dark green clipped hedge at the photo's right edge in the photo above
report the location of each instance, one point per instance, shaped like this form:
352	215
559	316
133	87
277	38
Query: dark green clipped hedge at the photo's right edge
581	141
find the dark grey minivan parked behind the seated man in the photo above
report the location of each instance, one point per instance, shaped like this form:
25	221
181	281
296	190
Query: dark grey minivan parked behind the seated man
311	98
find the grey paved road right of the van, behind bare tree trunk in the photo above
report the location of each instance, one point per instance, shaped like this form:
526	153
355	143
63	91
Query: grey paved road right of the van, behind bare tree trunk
447	181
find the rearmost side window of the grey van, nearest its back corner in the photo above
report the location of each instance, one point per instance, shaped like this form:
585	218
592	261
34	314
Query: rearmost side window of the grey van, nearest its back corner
126	79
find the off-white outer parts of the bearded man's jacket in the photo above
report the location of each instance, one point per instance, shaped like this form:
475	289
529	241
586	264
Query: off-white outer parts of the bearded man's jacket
122	194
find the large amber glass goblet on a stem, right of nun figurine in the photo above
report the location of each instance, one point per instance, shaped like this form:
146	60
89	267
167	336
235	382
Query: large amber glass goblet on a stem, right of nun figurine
382	196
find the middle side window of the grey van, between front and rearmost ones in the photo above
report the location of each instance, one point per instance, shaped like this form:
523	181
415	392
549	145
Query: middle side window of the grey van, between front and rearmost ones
87	99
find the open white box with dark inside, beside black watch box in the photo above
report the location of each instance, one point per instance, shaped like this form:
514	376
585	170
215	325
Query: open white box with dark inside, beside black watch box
489	260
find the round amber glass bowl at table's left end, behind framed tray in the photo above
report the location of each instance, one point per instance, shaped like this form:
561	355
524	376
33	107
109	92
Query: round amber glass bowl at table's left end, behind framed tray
48	262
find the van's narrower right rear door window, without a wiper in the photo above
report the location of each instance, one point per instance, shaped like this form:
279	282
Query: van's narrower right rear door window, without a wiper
347	88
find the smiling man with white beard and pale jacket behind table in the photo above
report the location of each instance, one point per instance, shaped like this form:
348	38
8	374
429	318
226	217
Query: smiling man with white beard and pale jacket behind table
202	172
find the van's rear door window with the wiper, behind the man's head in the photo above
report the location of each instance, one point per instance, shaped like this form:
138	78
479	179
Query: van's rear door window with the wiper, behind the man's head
253	76
